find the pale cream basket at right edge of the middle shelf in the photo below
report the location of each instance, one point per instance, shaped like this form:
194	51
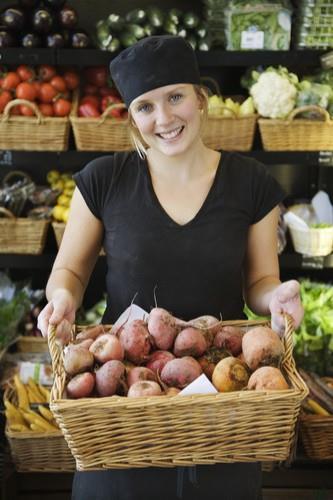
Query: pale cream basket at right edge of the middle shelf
314	242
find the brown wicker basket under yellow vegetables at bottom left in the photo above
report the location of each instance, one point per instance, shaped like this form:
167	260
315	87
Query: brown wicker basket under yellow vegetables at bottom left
38	451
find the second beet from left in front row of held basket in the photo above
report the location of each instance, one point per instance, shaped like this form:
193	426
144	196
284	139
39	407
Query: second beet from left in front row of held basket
110	378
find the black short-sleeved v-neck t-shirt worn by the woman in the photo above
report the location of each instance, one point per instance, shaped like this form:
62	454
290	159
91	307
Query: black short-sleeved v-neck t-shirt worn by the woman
192	269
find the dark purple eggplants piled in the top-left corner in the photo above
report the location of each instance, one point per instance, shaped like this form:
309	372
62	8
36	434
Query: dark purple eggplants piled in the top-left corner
47	23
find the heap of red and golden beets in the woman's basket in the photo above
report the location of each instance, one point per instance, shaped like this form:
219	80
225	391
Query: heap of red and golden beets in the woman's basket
165	354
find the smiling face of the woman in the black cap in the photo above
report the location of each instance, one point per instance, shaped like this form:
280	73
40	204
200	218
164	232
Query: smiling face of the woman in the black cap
168	118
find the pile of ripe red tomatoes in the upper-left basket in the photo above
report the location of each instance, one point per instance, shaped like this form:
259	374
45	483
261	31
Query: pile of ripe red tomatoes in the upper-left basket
43	85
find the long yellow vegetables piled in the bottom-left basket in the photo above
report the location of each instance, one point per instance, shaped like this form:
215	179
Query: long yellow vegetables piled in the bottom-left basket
21	417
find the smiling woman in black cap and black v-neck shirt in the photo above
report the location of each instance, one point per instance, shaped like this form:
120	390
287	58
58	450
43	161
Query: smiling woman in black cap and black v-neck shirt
193	226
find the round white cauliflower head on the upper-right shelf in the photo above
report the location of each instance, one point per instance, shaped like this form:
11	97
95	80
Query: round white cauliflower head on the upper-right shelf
274	95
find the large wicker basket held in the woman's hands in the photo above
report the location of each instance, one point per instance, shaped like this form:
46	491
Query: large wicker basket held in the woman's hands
163	431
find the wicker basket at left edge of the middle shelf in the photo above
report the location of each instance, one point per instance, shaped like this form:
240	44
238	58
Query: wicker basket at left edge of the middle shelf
21	235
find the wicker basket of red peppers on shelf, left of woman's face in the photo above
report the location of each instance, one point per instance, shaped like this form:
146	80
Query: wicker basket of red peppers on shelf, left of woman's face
100	134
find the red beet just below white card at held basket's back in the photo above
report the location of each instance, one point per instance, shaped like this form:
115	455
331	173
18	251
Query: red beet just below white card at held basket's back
135	339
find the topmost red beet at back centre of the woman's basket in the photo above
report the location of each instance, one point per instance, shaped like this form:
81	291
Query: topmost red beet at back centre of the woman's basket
162	327
